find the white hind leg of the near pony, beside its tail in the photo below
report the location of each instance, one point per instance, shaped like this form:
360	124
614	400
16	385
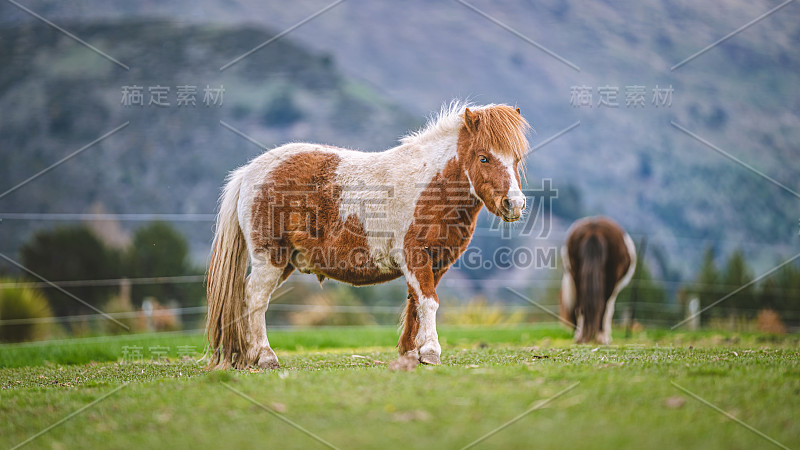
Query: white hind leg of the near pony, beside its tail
262	281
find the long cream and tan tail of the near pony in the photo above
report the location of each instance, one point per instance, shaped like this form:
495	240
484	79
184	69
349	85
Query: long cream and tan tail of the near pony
226	325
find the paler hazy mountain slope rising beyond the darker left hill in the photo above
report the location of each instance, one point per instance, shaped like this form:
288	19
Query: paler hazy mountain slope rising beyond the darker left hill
743	96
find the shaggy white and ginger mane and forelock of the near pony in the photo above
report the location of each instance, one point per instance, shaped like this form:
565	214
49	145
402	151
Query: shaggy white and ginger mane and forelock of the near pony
500	127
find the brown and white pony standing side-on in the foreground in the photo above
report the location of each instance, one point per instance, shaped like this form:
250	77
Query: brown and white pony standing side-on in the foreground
361	218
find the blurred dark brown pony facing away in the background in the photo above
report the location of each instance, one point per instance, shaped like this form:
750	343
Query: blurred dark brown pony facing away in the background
599	260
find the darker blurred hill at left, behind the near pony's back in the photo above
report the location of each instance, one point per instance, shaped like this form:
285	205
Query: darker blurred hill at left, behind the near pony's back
57	96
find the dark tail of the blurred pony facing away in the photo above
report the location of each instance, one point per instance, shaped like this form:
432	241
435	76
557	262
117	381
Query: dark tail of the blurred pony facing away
591	298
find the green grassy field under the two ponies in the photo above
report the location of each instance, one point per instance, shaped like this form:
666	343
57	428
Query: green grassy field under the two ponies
514	387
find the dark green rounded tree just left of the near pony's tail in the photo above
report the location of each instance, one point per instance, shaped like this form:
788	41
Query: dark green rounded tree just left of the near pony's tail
159	250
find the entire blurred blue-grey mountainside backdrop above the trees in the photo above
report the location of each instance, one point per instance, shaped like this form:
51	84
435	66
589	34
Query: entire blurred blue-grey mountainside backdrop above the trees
363	73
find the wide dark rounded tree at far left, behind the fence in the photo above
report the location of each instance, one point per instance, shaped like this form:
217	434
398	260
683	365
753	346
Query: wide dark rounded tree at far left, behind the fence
71	253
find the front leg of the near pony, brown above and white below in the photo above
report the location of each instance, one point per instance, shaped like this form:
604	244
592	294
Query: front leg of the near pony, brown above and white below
421	284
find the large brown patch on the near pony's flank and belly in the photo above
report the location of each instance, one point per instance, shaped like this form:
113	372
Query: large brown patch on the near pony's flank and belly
296	223
